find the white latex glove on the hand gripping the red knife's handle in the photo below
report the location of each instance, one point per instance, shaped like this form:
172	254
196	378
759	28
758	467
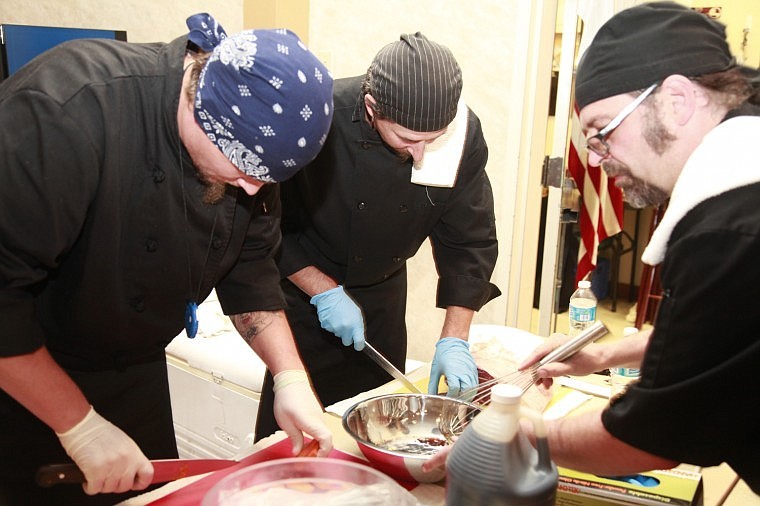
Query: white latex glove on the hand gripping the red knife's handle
110	460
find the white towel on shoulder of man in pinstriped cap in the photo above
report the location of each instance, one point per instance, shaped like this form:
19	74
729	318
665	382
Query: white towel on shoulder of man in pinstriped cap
440	164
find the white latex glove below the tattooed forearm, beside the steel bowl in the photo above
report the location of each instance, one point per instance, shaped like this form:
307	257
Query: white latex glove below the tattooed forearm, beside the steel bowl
297	410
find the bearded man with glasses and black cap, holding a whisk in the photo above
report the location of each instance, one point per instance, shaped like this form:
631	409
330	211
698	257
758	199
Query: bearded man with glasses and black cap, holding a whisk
669	114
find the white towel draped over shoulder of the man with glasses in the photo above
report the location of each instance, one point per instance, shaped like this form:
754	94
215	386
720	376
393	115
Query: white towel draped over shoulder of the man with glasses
727	158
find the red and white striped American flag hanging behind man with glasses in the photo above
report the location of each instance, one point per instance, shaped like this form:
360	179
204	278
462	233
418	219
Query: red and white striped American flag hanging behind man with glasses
601	213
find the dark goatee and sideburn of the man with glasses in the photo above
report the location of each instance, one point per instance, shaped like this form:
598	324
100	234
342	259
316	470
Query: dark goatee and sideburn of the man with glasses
637	192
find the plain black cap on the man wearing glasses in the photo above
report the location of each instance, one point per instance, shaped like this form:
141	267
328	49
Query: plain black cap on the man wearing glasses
645	44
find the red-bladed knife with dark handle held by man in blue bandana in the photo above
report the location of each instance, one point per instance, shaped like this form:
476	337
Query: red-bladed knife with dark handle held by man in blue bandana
163	470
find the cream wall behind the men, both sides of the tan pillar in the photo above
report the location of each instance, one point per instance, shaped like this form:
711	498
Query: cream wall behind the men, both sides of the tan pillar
346	35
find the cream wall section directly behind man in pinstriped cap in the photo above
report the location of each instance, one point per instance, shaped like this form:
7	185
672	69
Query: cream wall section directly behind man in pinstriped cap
347	35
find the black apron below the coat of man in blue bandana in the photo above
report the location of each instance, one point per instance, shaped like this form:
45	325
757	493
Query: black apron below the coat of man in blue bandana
135	399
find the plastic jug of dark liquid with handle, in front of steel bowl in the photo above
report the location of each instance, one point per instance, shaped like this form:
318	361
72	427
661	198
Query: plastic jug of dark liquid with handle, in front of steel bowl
494	464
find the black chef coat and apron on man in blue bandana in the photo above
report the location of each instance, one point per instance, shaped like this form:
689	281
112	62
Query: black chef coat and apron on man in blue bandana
104	238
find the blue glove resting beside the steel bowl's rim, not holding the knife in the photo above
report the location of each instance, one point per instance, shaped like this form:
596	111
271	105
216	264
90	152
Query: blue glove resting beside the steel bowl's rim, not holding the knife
453	359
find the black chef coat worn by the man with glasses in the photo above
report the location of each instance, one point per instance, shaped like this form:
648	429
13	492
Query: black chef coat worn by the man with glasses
696	401
